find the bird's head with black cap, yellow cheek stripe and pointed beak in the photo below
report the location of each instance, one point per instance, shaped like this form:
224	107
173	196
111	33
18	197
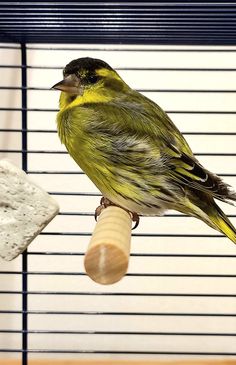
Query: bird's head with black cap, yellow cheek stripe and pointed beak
88	75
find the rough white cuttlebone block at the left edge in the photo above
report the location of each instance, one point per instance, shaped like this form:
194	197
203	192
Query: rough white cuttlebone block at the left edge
25	210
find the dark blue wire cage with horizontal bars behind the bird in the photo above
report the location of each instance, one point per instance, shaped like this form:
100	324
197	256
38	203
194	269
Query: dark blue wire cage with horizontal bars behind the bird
177	301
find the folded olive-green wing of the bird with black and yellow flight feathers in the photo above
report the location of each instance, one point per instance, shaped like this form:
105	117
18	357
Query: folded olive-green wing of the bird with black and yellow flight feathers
143	120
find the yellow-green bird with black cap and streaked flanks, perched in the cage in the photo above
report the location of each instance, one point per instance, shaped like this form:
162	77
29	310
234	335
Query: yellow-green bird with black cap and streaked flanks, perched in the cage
132	151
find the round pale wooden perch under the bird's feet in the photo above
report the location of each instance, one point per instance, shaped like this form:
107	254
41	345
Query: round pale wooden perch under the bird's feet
107	257
